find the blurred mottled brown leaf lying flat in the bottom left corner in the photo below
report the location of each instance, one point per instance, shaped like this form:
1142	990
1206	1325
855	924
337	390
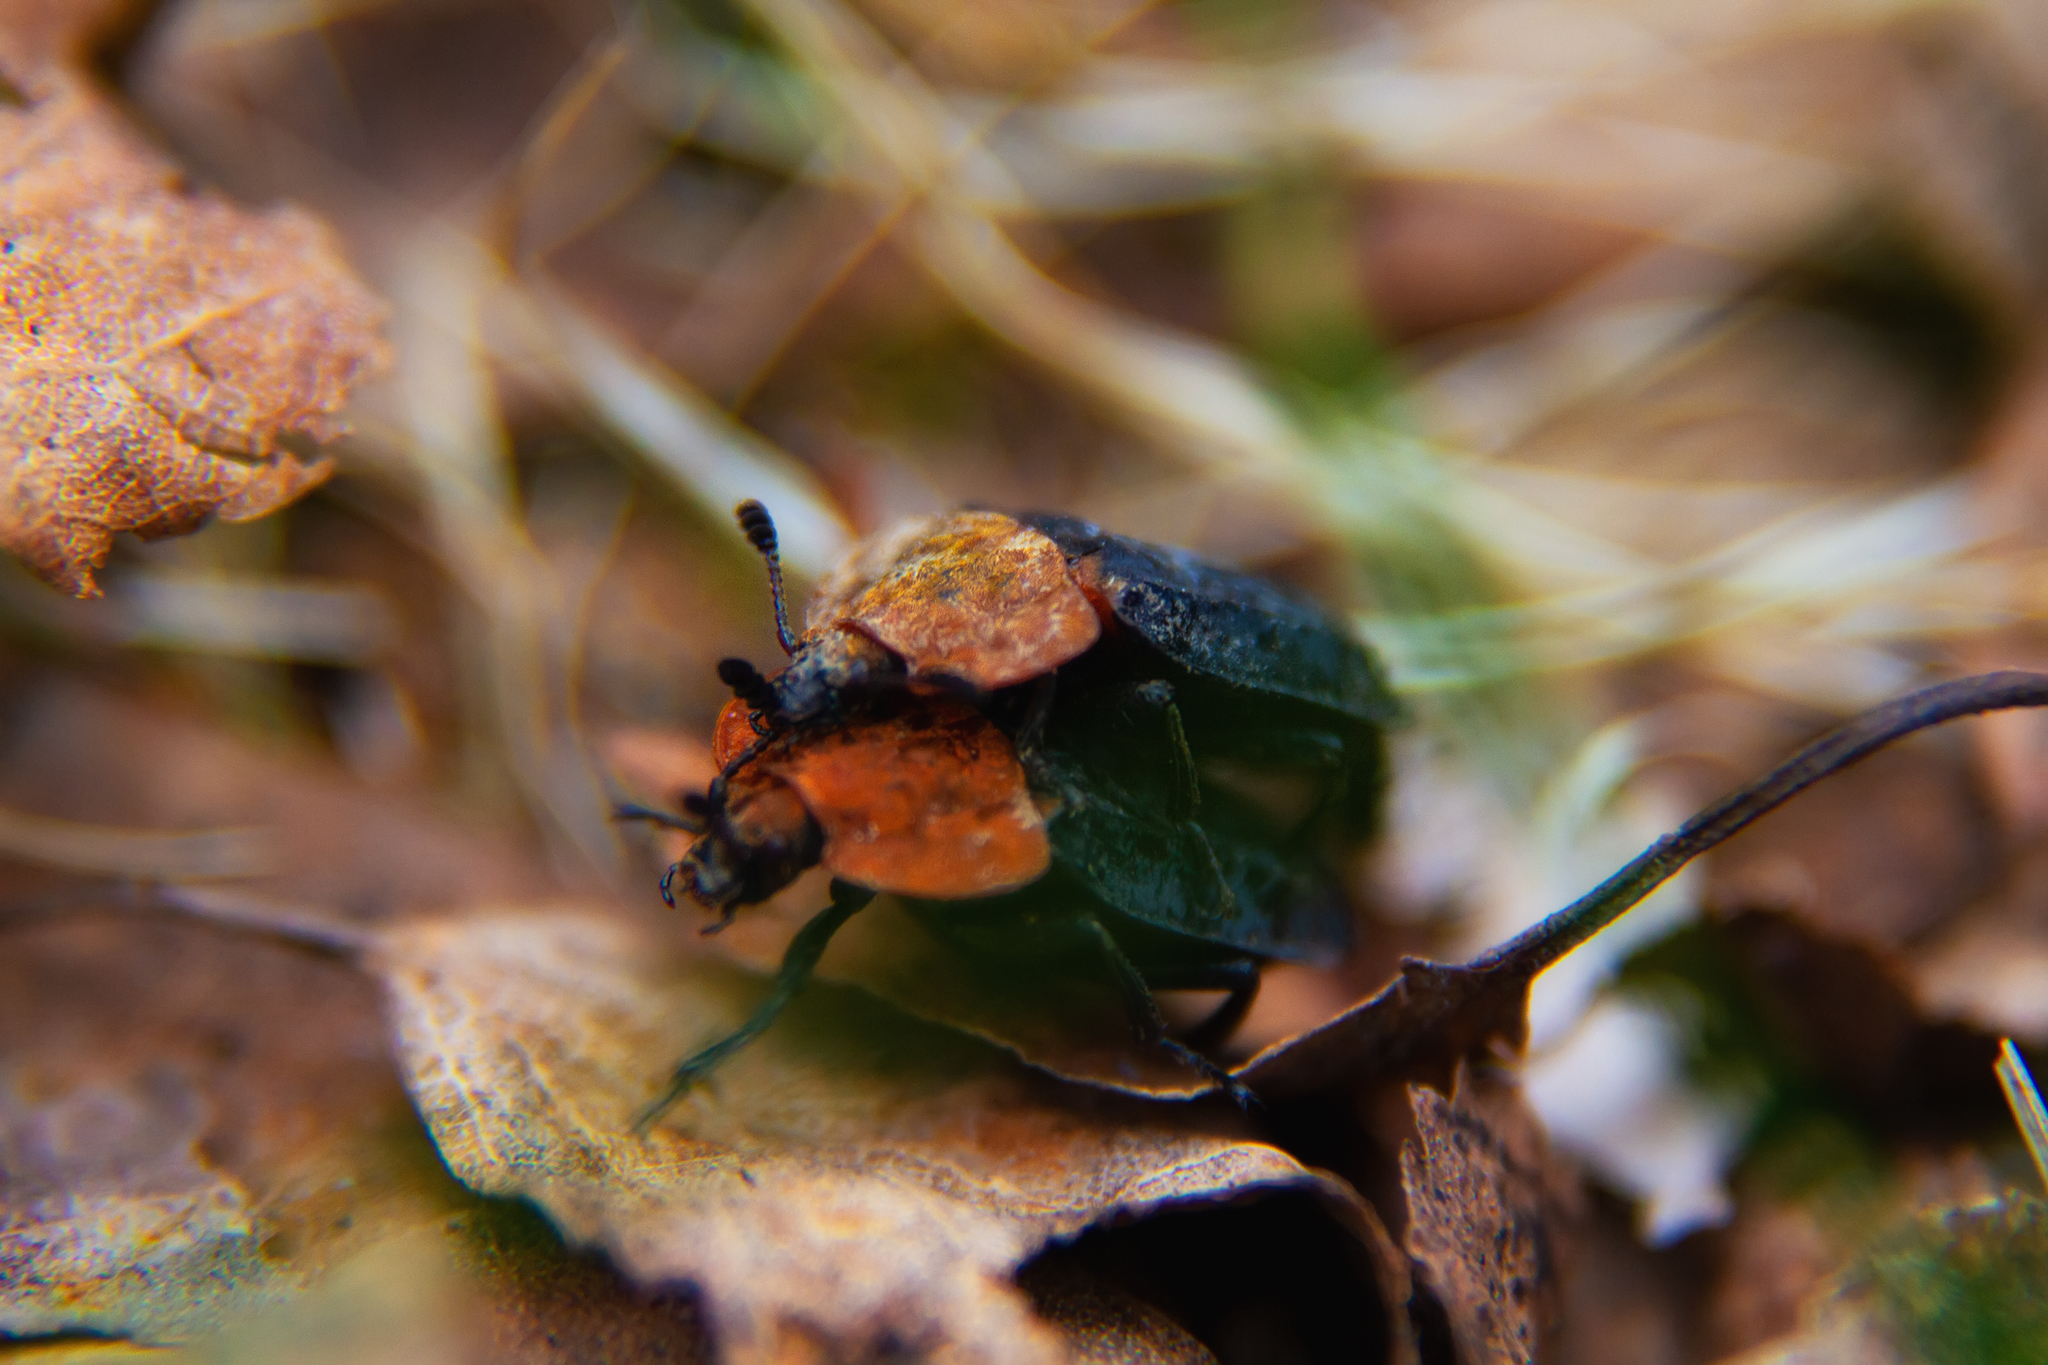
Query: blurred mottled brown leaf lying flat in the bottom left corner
196	1125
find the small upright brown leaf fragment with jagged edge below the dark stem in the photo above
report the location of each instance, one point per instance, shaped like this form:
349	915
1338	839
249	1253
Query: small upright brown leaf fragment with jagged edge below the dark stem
1486	1219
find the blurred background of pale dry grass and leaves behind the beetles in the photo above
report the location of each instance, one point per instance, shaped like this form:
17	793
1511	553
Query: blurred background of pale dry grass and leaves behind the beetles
1650	384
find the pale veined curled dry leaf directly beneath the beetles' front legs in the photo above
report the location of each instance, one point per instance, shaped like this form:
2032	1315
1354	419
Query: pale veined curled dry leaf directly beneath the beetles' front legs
534	1041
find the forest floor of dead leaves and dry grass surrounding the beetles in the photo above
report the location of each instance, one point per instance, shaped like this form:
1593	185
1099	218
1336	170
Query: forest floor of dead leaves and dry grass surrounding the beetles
1652	386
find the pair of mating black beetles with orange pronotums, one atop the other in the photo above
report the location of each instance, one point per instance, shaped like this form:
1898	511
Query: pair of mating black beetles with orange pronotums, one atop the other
1054	744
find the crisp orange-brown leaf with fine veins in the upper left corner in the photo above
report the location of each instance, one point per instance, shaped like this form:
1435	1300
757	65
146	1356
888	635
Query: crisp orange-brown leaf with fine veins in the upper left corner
157	343
